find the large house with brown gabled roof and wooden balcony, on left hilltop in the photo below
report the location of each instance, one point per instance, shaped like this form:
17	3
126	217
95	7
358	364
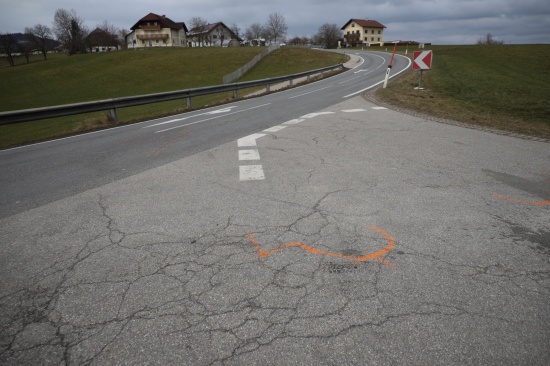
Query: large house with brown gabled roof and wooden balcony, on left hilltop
157	31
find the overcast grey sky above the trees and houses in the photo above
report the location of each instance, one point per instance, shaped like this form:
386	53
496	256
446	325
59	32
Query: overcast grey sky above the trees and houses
435	21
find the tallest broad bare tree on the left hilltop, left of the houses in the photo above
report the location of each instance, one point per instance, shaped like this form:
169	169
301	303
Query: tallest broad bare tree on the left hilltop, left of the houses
70	31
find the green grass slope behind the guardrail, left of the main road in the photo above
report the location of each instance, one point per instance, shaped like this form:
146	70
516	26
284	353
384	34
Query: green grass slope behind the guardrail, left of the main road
63	80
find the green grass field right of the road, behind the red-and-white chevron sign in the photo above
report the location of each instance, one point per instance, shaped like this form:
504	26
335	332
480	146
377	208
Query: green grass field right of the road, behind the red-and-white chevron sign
504	87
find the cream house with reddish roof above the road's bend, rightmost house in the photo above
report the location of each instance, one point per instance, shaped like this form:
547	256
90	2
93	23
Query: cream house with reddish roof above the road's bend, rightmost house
363	32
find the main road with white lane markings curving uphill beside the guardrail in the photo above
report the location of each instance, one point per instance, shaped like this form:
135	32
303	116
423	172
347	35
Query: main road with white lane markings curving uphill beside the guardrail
41	173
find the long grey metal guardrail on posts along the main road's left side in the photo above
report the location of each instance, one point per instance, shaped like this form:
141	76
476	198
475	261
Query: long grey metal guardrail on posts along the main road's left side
35	114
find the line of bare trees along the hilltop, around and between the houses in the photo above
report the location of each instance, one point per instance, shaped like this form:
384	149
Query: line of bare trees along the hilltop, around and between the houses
72	36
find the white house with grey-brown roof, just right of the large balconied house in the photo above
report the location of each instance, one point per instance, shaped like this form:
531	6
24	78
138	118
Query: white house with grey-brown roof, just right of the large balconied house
212	35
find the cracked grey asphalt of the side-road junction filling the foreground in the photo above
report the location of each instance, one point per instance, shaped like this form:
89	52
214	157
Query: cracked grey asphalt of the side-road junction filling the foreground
159	268
